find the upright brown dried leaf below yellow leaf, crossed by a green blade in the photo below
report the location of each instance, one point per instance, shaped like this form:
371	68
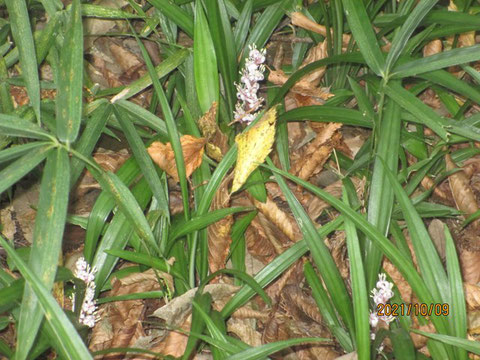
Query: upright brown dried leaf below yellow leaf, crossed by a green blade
219	239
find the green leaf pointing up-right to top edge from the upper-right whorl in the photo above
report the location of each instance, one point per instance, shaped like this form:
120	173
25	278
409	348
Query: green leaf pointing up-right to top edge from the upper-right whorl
407	29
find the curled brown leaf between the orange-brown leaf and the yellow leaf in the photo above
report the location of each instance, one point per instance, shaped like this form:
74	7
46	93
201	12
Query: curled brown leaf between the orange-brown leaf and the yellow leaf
217	141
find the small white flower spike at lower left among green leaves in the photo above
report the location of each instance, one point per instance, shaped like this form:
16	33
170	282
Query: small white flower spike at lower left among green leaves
83	271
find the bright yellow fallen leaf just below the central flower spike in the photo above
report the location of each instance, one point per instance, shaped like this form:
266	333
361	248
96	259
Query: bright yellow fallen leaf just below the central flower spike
253	147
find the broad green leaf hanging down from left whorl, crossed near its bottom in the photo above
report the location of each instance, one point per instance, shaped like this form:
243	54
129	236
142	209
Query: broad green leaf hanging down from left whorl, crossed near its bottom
47	244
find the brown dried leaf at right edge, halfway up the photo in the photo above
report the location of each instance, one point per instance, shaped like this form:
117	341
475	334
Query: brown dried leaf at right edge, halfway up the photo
461	190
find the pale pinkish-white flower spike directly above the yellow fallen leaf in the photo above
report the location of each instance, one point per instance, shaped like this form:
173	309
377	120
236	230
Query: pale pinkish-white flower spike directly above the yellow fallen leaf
252	73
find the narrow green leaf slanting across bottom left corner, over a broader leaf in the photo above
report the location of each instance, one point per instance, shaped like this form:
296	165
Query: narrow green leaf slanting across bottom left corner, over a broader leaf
65	333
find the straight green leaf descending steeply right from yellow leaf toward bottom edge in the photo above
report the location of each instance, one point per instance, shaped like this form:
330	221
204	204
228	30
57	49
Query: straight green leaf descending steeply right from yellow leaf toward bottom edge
322	257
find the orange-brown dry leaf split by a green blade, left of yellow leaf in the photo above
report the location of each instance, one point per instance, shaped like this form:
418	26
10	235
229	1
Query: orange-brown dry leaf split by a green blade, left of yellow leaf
164	157
